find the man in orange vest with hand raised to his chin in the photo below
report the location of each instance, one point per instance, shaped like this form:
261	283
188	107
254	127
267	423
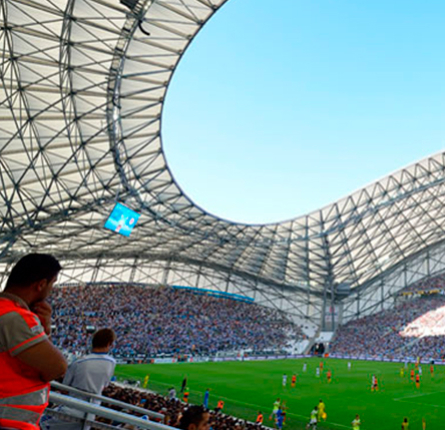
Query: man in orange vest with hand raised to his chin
28	359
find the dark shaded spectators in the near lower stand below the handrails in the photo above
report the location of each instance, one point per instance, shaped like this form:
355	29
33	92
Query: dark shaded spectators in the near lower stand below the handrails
172	409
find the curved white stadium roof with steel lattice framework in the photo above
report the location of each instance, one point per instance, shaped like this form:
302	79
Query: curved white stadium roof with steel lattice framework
81	95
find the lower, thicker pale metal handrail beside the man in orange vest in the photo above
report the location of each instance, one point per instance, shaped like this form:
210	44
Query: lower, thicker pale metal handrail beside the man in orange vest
83	406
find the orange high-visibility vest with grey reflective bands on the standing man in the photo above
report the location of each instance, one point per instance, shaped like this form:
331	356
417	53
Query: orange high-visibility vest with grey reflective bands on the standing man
23	395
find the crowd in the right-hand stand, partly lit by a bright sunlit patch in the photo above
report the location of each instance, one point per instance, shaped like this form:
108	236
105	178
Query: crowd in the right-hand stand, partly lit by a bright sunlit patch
414	328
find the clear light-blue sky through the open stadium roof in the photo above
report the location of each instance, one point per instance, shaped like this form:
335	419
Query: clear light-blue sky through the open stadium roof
280	108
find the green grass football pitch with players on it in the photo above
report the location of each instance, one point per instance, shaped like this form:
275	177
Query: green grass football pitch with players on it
249	387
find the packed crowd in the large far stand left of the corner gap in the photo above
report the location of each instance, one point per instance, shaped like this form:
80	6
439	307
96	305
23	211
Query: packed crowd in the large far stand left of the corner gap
154	321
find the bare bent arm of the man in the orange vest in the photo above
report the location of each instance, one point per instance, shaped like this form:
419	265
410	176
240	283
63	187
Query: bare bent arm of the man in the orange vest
45	358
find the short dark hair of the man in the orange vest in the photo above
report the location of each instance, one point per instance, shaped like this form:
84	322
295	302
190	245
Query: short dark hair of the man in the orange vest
33	268
